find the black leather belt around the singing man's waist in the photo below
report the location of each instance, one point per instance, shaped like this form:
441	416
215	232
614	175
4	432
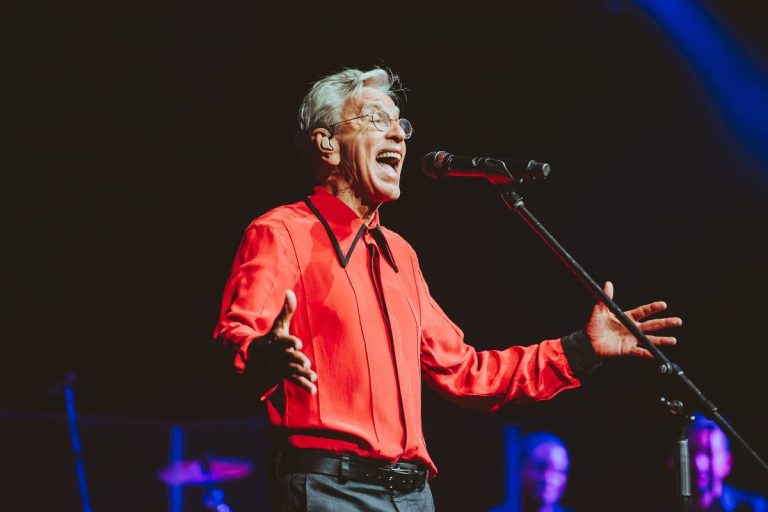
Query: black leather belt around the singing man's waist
399	476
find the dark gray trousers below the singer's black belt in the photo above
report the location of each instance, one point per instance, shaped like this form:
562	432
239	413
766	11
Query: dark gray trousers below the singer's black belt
300	492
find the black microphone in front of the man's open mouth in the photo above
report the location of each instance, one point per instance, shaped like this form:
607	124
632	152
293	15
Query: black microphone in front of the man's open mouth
441	164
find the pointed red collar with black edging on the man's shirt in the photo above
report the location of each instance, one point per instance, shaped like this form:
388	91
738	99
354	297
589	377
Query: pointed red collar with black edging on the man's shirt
344	226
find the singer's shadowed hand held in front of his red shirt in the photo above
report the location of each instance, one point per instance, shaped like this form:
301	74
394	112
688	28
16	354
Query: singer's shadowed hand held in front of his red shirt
277	355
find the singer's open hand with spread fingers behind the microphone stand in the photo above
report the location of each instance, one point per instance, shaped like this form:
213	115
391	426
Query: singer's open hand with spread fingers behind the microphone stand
610	338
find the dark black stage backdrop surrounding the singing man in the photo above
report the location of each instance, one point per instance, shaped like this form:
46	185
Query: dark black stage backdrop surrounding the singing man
143	141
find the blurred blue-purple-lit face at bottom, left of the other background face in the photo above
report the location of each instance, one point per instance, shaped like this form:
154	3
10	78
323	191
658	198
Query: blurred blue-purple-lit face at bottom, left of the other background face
545	474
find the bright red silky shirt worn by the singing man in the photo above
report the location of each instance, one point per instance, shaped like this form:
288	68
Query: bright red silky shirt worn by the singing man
369	382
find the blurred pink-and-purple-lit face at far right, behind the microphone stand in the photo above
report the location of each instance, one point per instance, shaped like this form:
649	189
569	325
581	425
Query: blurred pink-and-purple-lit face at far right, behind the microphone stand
710	461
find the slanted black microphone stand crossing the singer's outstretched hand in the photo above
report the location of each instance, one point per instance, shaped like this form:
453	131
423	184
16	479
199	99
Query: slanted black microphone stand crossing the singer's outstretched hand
666	367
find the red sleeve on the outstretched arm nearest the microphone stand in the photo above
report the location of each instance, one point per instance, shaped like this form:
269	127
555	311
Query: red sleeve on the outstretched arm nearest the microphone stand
488	379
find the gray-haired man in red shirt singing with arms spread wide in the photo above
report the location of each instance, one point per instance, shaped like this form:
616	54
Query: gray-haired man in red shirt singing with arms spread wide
333	324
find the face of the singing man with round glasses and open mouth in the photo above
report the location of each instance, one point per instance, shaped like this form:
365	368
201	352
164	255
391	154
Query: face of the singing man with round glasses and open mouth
372	159
